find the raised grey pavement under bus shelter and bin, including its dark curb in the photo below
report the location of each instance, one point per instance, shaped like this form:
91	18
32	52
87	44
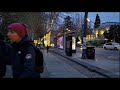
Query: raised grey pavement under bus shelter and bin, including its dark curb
106	67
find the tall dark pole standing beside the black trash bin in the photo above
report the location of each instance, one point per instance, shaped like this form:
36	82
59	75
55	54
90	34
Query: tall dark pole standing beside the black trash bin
84	36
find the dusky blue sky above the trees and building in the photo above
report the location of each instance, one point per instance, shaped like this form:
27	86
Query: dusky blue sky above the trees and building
104	16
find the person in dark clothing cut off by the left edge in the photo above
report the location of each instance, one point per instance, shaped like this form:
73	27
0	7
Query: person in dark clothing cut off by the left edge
3	56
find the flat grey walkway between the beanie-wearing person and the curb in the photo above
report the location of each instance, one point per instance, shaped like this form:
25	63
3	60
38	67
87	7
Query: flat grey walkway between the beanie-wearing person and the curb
56	68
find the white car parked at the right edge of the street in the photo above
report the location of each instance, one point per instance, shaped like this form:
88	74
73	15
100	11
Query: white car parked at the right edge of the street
111	45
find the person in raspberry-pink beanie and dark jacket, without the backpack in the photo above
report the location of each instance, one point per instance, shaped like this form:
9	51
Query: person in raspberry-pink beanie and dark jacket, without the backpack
22	59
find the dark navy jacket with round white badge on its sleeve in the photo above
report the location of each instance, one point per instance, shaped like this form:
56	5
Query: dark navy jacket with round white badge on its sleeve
23	60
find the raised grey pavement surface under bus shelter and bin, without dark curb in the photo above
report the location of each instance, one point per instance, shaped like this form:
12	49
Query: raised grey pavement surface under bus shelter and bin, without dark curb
106	65
